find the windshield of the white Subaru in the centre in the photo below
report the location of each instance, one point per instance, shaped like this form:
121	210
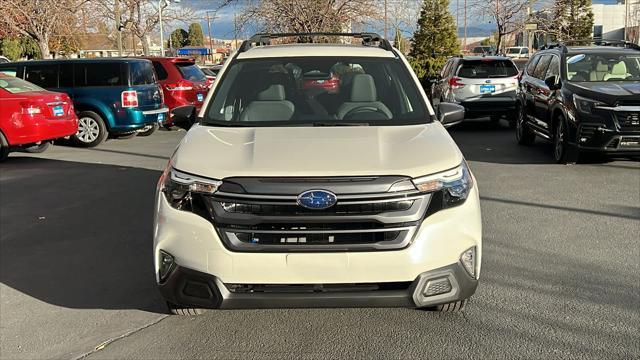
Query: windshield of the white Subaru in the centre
316	91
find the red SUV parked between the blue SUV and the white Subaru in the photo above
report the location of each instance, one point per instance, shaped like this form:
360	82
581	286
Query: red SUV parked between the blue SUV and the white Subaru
182	82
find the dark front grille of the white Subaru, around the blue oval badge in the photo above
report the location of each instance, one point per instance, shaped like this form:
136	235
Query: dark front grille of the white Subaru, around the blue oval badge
359	221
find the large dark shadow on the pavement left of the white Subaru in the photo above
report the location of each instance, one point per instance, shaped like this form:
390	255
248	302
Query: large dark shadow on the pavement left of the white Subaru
83	238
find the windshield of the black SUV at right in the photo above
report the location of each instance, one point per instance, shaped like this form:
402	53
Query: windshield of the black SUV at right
603	67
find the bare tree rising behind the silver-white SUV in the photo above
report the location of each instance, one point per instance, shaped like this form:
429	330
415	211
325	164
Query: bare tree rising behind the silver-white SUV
509	15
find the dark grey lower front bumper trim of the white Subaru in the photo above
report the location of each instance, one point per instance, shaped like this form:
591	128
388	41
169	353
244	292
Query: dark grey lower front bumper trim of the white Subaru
190	288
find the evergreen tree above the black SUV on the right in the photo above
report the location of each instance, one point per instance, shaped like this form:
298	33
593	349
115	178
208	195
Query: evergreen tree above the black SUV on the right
573	20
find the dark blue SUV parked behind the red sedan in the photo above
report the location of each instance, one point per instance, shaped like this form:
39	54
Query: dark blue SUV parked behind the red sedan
118	97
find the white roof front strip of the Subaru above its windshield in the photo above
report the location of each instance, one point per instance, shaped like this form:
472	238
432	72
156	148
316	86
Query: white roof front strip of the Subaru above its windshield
306	50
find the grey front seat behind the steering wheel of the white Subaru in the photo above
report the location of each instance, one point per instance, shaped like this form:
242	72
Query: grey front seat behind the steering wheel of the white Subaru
363	94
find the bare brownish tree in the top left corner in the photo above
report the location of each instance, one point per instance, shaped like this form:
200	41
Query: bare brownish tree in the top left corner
39	19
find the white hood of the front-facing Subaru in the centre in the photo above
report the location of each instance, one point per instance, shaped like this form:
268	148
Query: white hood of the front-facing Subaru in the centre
218	152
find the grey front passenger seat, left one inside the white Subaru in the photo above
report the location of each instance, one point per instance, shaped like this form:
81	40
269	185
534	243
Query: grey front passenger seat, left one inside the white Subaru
270	105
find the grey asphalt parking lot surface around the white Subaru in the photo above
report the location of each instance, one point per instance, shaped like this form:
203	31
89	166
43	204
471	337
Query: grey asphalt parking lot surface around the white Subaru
560	276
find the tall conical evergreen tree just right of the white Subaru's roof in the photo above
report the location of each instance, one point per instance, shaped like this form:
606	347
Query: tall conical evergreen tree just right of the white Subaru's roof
434	40
